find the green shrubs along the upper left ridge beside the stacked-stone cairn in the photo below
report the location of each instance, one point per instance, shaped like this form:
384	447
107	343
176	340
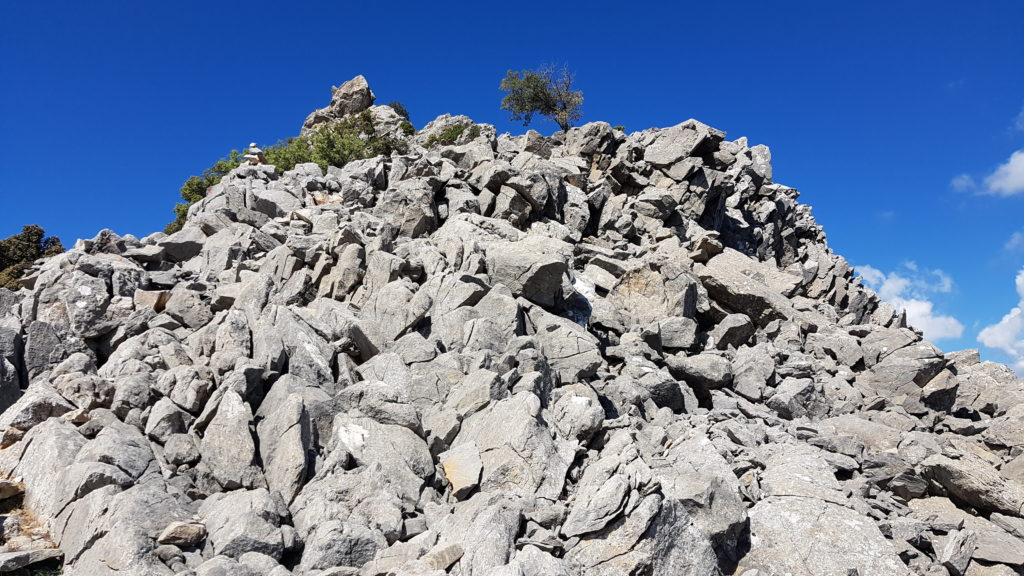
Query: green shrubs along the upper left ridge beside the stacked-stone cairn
354	138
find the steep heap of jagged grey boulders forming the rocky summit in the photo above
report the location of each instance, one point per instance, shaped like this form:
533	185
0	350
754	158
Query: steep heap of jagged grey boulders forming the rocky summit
589	354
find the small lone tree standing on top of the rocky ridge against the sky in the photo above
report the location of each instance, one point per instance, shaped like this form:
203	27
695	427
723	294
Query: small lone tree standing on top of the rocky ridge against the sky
547	92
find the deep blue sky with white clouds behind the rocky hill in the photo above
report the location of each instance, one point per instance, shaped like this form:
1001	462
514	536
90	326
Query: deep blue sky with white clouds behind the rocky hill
899	121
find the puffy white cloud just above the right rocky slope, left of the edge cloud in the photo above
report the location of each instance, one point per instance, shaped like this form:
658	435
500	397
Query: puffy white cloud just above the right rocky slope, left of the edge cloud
908	291
